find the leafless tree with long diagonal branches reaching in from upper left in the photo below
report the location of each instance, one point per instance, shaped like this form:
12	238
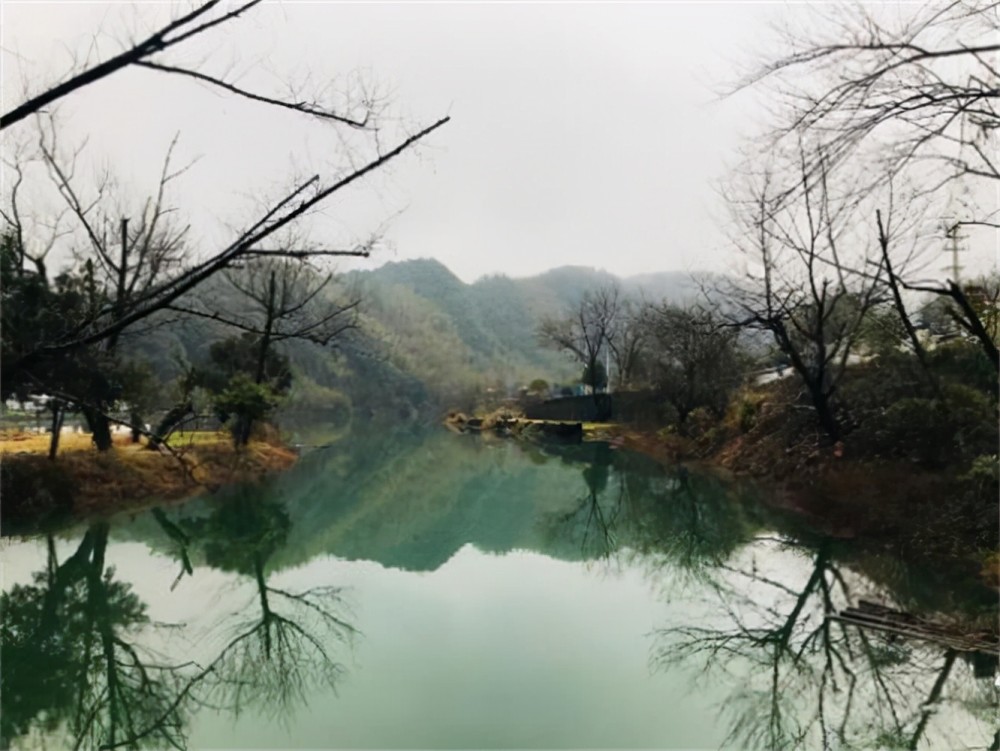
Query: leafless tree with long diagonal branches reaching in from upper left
143	270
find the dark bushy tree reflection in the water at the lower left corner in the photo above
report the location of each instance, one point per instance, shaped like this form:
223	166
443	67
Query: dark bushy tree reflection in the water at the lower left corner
71	660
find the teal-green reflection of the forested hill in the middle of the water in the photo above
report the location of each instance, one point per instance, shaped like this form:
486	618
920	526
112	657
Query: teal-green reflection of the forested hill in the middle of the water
430	499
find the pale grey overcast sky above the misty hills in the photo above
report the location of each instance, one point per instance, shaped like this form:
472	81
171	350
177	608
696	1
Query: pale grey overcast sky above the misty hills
585	134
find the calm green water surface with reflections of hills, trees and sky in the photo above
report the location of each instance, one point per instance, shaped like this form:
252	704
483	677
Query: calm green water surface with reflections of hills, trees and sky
427	590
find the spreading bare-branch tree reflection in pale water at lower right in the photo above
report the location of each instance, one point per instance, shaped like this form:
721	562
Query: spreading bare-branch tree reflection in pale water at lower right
809	682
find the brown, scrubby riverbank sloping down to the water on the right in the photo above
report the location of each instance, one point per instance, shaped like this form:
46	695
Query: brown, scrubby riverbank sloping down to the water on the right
874	500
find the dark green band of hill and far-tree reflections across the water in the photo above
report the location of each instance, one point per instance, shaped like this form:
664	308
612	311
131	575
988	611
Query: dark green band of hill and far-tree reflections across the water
412	502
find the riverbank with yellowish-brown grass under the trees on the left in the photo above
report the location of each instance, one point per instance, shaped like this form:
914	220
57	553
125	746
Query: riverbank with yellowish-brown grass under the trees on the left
82	482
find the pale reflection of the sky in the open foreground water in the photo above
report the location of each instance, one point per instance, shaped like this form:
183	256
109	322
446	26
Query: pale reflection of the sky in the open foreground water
516	650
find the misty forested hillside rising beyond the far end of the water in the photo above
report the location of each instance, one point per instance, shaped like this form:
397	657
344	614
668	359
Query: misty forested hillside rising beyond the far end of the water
421	339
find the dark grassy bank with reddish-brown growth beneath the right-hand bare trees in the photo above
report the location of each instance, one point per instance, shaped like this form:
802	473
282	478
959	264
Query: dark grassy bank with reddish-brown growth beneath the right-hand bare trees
919	483
